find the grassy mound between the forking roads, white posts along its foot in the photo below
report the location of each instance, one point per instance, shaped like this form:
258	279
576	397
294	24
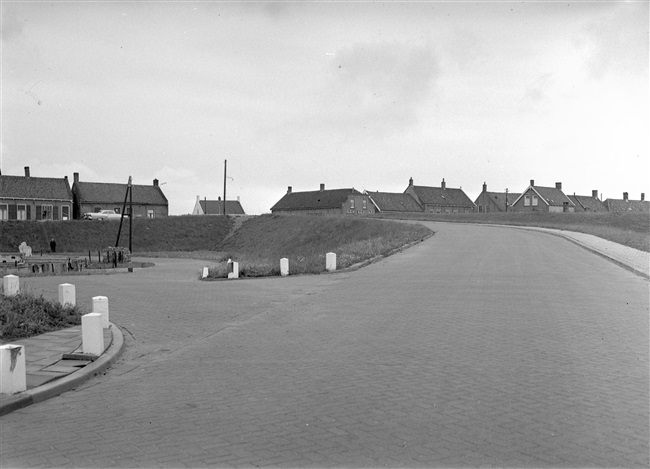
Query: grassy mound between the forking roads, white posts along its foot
260	243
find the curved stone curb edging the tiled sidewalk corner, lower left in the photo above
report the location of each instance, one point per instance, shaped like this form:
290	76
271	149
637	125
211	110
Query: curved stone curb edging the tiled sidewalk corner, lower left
71	381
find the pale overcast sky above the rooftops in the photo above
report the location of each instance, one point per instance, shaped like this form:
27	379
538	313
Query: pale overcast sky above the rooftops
349	94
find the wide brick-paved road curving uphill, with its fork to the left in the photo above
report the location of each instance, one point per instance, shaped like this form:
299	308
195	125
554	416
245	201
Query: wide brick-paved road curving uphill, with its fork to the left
482	346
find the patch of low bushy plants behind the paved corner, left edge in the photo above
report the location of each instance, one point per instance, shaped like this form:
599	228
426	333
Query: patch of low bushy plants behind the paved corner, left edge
26	315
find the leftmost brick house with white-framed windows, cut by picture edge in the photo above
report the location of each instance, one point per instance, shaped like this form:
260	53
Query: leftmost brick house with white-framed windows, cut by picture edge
35	198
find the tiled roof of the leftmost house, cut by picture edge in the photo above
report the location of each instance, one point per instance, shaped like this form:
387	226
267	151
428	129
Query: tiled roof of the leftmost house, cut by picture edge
21	187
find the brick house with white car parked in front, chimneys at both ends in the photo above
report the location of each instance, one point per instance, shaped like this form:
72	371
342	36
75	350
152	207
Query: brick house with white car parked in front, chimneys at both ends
148	201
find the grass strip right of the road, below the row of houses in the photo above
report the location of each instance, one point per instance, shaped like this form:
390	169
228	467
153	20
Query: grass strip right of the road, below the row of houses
630	229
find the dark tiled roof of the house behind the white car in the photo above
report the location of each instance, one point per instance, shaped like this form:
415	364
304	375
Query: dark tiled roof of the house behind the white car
102	192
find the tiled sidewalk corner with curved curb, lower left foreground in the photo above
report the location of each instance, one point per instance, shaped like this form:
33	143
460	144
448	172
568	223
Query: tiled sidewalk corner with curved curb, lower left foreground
52	369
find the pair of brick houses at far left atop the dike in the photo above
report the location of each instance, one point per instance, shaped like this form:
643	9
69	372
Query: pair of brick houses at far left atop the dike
38	198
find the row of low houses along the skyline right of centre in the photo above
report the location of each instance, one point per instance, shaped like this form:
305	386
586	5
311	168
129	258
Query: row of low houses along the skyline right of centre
445	199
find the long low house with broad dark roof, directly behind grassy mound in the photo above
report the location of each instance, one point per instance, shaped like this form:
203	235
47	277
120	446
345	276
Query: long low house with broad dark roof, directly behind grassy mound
324	202
